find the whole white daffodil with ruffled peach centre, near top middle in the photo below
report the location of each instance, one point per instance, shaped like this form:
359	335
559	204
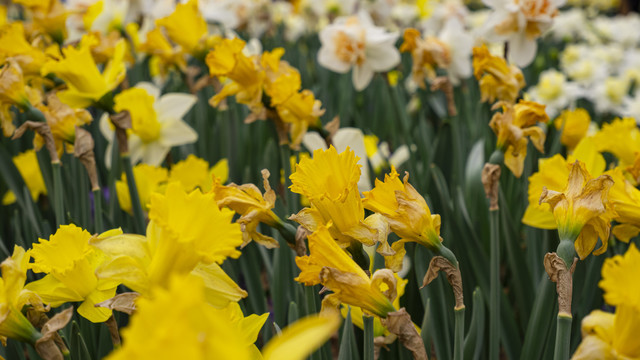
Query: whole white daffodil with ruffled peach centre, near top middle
354	42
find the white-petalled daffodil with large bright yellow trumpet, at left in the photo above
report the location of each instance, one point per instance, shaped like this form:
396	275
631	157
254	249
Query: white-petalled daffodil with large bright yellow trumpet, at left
156	123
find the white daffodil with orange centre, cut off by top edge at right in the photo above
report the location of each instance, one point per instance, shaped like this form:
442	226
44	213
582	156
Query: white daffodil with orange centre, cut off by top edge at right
520	23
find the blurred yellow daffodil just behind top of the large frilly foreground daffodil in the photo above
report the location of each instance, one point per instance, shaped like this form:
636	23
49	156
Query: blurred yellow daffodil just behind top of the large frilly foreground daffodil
194	172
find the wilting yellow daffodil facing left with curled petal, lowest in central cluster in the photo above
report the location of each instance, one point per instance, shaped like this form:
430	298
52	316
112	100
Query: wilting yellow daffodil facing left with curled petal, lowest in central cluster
332	267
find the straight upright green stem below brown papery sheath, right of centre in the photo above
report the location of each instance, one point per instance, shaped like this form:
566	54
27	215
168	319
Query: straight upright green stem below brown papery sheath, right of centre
494	296
